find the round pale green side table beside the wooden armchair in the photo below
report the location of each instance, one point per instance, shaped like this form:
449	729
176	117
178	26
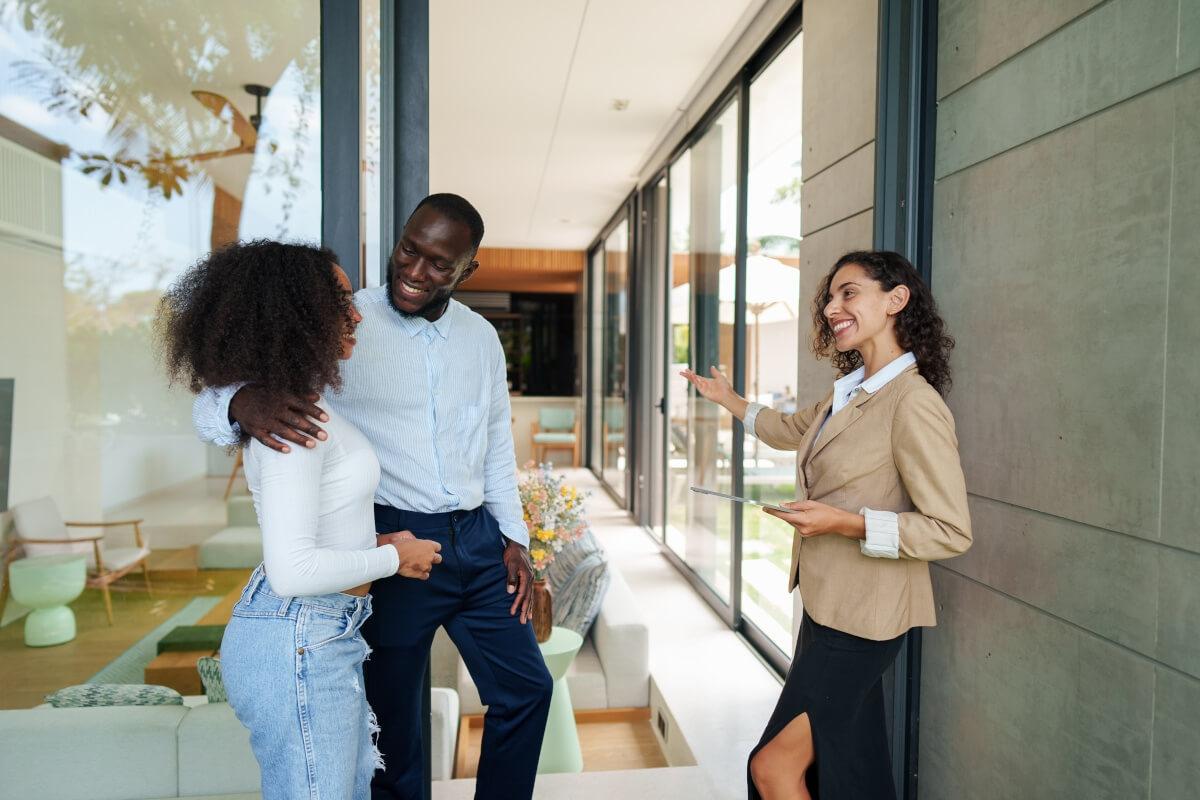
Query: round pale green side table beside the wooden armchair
47	584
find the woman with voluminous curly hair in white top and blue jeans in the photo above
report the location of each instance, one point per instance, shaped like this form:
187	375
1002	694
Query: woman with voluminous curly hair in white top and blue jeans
281	317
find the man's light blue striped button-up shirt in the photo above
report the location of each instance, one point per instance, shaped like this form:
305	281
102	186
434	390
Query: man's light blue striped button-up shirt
434	401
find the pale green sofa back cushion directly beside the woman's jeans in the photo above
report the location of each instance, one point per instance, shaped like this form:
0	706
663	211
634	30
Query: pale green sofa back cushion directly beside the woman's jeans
214	753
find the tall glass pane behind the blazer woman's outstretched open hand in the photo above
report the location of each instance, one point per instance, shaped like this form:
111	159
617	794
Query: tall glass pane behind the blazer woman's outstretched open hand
704	230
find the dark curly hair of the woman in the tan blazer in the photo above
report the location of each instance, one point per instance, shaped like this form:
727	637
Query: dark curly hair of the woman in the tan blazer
920	328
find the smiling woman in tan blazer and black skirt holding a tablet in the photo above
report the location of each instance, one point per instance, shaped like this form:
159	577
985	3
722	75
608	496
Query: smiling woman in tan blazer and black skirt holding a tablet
880	494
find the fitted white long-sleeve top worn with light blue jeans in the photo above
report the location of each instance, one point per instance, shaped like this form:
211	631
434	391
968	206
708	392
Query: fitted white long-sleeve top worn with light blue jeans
315	507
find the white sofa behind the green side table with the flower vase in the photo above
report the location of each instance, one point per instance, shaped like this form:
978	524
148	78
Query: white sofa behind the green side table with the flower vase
613	670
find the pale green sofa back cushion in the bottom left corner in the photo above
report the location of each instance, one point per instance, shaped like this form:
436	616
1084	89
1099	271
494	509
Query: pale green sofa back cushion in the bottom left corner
100	754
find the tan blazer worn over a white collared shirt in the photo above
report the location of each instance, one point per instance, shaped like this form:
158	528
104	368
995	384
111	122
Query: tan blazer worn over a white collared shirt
893	450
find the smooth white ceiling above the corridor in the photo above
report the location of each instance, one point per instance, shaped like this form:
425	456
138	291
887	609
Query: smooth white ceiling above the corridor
521	93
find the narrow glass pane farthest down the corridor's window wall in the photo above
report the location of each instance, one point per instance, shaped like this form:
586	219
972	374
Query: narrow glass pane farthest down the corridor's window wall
614	460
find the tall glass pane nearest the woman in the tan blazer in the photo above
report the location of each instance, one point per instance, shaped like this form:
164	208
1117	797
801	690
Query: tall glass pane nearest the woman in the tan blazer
773	321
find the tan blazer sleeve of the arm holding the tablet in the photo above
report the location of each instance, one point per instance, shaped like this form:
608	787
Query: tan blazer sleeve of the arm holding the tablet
926	450
